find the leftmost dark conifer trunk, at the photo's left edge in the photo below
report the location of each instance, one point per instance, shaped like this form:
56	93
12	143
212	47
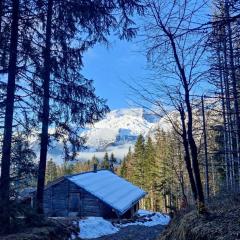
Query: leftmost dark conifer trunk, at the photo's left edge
8	121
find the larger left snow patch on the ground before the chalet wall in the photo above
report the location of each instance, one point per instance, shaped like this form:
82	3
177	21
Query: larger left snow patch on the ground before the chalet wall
94	227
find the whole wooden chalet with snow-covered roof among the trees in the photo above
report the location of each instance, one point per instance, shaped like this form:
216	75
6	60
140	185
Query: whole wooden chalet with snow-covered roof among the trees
98	193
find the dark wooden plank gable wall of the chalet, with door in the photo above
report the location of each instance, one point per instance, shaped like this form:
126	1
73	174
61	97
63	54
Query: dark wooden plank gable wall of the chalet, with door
66	198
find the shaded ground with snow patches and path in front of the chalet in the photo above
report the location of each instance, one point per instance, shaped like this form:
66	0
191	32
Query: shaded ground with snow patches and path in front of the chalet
146	225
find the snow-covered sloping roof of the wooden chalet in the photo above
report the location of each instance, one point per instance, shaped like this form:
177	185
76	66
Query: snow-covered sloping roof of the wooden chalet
110	188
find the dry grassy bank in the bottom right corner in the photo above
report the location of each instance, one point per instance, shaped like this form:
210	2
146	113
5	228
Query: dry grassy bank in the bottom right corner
222	222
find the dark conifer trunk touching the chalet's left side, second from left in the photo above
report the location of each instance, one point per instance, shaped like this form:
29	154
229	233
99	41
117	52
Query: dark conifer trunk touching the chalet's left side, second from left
45	110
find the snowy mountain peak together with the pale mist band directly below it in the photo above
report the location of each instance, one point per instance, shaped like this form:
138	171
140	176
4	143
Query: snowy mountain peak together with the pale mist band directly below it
117	132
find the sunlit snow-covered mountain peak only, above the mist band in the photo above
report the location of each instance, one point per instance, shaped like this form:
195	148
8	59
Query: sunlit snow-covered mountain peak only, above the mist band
119	127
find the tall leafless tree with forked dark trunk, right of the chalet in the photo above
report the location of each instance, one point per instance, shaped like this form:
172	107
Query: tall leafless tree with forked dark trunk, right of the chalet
176	53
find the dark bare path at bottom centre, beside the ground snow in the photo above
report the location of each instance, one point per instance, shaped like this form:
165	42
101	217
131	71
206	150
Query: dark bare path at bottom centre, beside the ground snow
136	232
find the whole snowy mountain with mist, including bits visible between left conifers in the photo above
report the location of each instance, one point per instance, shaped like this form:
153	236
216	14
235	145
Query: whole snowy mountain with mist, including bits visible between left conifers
116	133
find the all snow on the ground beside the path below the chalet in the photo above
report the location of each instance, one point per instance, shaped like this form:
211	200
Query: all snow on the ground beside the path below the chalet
94	227
